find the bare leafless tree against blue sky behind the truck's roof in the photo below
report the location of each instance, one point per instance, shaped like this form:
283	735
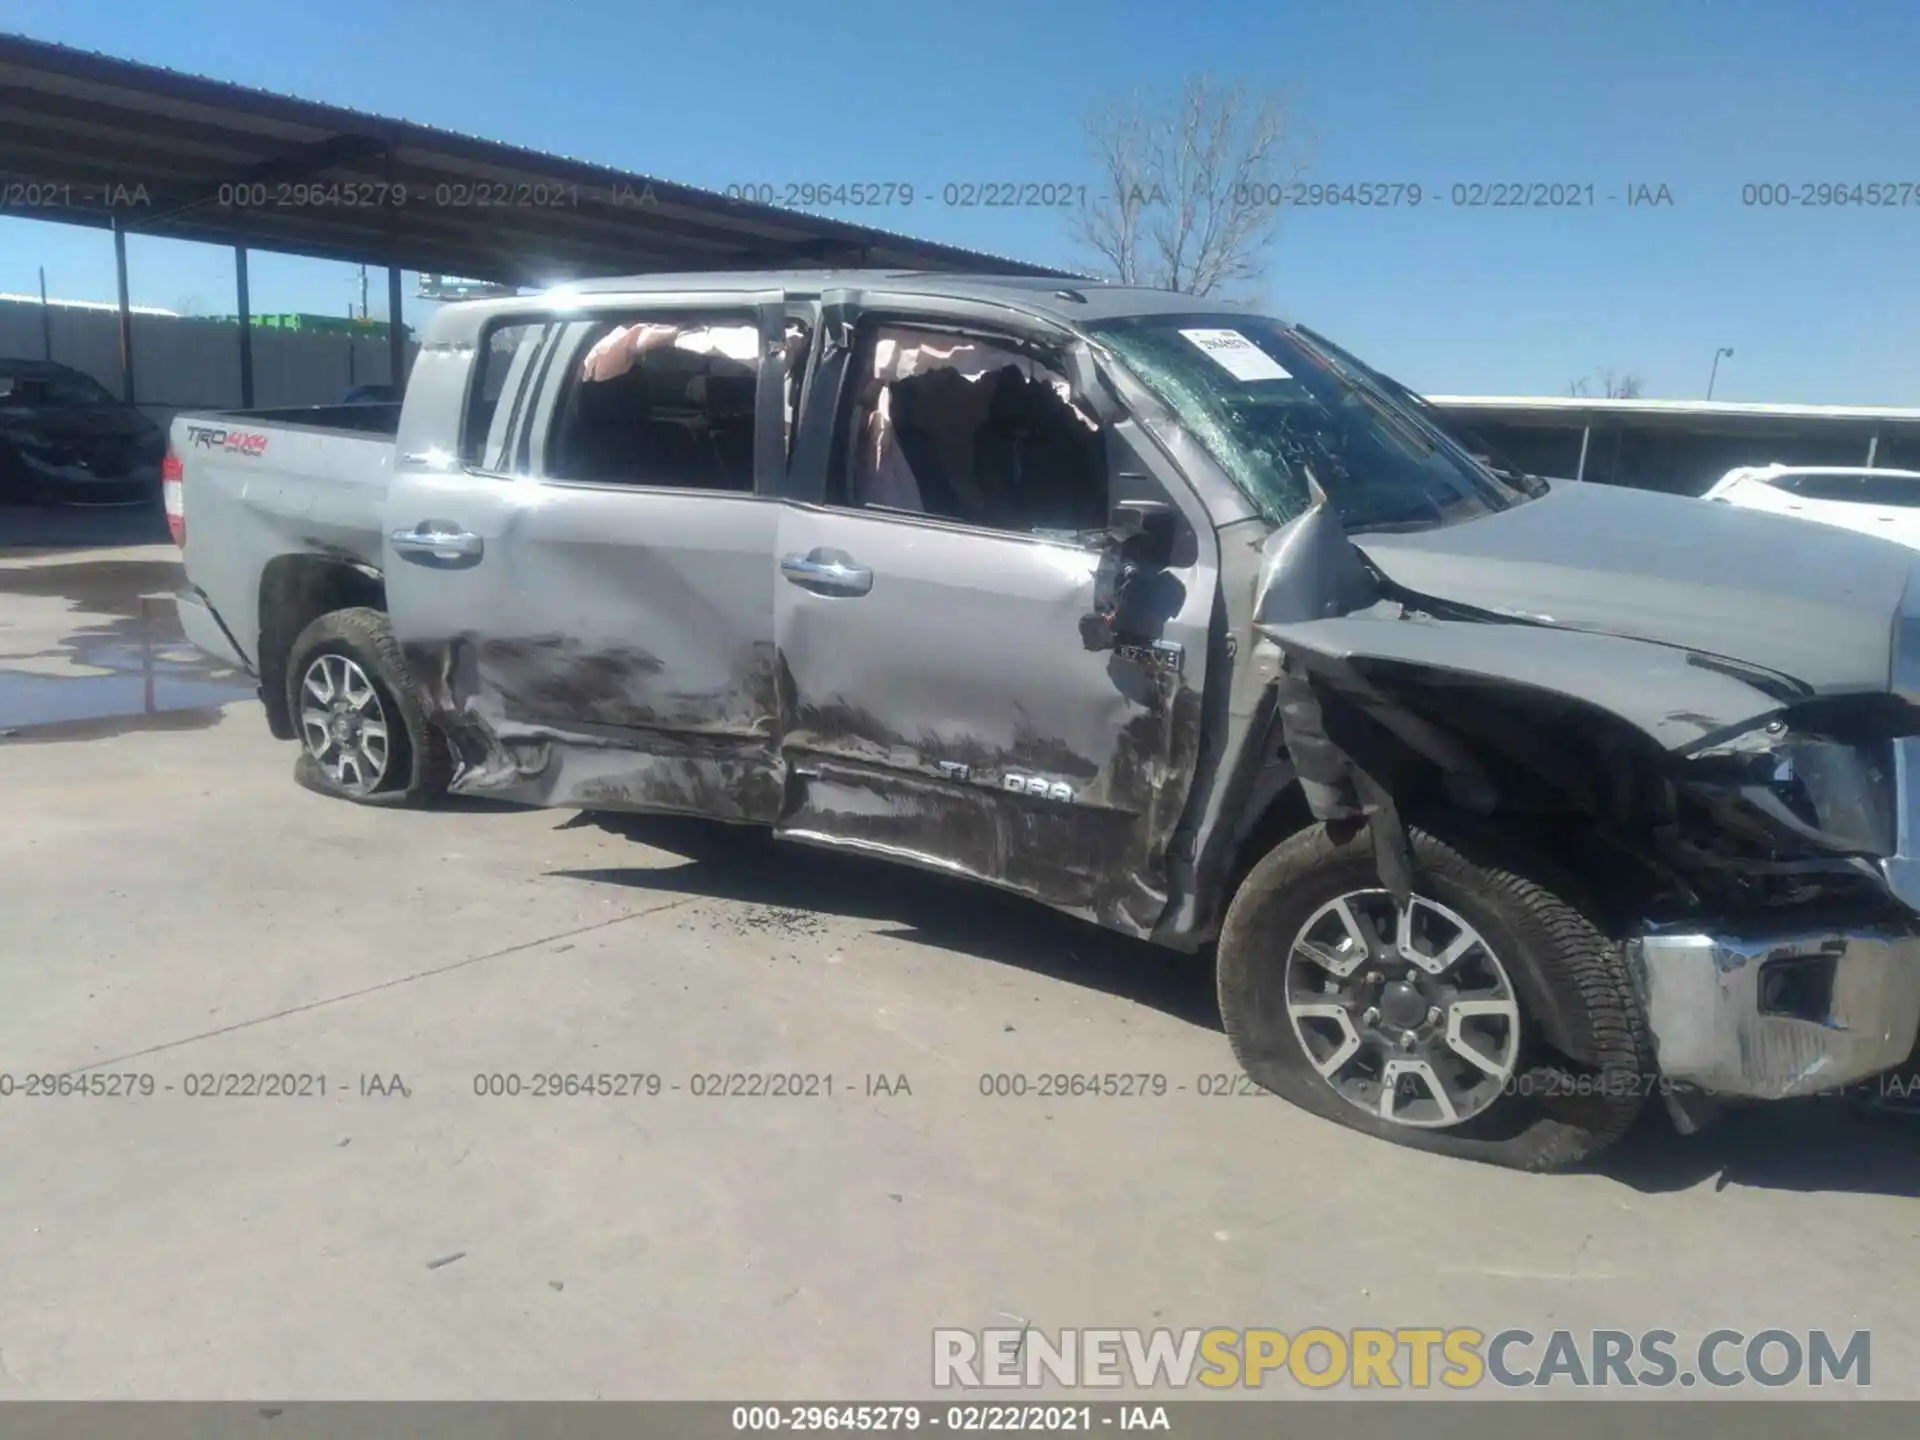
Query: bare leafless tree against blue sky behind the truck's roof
1189	187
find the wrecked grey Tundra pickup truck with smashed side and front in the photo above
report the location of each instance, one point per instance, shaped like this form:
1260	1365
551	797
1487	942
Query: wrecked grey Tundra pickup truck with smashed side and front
1504	807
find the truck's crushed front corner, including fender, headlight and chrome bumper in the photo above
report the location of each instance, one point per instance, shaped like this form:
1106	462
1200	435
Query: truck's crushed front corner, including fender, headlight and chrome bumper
1706	800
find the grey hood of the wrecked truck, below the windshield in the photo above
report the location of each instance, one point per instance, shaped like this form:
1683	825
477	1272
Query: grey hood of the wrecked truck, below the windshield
1792	596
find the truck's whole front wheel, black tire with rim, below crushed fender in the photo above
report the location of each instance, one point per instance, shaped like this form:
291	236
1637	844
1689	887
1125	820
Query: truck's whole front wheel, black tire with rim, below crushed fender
1531	1105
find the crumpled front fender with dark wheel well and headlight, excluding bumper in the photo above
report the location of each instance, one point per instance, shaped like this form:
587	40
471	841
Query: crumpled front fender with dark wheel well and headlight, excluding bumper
1729	790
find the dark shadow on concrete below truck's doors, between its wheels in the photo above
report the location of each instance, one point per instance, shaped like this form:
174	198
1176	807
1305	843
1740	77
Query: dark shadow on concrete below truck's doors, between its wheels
738	863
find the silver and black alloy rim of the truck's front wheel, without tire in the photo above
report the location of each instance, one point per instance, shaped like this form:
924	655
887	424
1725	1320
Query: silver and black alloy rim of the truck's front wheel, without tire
1404	1013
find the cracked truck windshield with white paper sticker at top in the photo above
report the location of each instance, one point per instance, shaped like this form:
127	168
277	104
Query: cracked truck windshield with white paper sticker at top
1274	408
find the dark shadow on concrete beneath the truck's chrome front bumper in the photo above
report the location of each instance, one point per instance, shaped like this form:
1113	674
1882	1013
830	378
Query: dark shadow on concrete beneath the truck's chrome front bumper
1794	1145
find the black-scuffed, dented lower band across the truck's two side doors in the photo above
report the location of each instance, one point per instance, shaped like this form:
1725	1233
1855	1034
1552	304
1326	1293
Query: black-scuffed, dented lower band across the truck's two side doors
828	771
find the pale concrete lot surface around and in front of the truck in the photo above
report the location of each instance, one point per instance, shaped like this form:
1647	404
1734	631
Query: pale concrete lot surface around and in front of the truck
174	907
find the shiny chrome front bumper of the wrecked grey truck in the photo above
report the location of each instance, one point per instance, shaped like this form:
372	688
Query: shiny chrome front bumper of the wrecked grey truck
1785	1015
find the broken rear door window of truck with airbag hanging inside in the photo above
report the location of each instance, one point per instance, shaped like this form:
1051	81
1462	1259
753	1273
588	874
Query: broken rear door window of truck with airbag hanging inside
665	400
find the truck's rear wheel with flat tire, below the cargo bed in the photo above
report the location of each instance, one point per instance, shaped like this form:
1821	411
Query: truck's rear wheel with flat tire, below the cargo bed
356	660
